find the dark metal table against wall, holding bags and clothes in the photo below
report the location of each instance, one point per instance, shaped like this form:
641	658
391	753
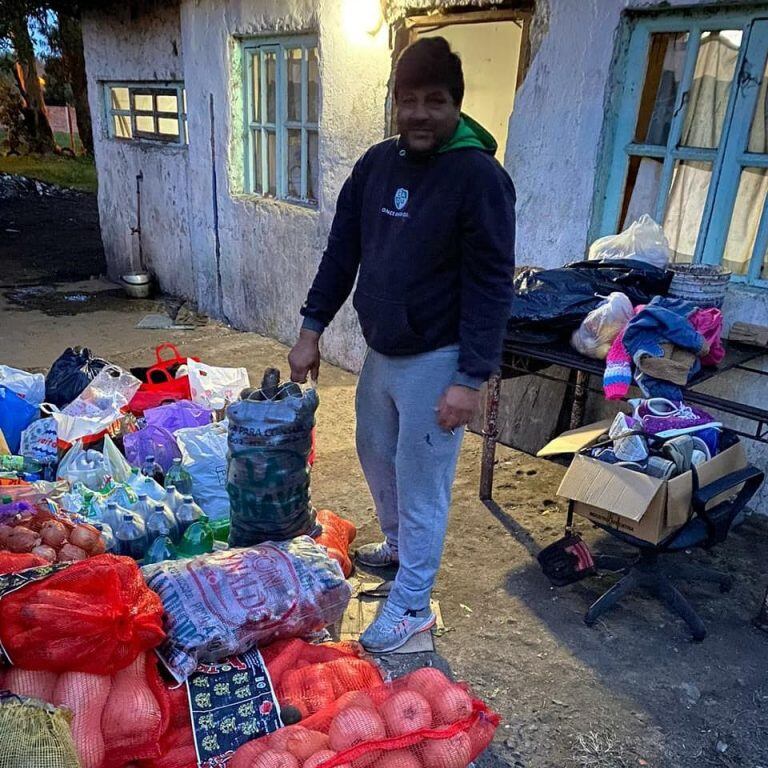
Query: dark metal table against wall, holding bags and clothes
523	359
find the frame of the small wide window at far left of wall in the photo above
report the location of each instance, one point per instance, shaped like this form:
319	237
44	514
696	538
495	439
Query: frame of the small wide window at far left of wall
153	88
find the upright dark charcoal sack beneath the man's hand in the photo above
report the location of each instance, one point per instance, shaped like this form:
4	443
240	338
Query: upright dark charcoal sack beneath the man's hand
270	439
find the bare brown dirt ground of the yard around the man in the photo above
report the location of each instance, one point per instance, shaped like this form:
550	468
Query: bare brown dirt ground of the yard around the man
633	691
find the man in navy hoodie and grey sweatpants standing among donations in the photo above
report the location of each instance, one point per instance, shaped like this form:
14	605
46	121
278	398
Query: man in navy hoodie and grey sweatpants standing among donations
426	224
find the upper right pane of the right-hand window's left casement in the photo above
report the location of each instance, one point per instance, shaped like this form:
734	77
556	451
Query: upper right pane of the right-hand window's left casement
711	87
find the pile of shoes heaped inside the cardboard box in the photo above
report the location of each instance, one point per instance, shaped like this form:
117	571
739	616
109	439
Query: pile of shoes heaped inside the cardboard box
661	438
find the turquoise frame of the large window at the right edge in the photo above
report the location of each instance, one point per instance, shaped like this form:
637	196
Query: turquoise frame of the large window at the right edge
727	160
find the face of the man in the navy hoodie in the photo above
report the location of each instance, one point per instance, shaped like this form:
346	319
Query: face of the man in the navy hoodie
426	117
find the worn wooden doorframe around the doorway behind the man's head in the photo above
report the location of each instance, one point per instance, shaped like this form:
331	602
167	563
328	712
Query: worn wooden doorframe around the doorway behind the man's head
404	32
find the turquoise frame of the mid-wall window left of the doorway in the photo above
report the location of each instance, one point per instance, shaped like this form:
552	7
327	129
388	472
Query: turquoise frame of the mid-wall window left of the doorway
259	130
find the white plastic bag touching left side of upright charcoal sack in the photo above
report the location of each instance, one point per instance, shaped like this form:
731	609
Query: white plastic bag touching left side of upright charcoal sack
204	456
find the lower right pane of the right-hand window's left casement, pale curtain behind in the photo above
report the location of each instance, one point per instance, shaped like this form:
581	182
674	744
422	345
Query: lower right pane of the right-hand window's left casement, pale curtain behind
685	206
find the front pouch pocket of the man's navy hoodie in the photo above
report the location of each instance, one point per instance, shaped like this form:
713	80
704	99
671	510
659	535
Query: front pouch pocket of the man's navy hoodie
386	326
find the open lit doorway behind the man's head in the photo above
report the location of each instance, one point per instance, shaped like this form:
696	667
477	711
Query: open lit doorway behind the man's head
493	46
